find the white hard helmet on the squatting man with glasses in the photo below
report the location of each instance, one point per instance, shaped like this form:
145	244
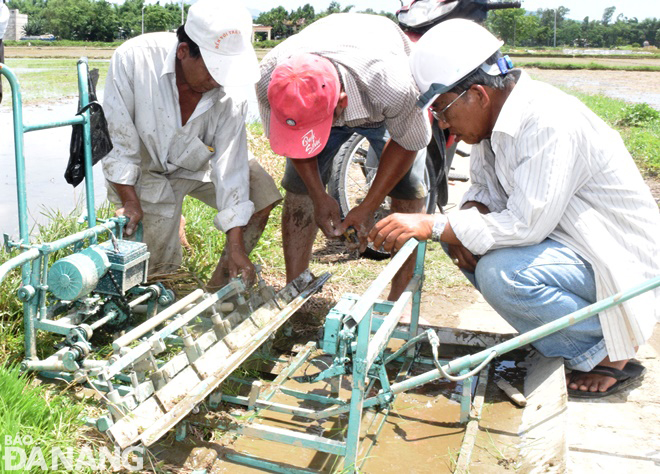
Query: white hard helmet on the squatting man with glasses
448	53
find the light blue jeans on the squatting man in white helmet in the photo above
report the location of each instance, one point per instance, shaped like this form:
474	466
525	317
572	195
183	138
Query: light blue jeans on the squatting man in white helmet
532	286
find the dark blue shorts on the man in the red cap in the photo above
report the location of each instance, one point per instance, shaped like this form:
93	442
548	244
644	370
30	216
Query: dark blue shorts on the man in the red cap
410	187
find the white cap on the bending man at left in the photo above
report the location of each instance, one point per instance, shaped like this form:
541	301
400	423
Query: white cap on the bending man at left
223	31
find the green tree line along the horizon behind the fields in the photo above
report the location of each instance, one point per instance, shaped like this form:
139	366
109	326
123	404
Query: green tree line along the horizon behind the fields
99	20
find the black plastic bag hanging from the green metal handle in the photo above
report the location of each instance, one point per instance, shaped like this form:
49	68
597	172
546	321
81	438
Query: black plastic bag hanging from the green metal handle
101	143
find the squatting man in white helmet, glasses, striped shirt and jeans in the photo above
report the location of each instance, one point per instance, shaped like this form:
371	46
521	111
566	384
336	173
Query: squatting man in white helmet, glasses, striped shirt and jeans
557	217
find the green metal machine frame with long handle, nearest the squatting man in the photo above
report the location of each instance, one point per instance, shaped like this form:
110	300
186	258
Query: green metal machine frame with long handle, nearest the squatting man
357	338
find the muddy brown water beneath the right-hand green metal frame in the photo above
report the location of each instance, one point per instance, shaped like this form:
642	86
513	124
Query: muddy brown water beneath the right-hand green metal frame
420	435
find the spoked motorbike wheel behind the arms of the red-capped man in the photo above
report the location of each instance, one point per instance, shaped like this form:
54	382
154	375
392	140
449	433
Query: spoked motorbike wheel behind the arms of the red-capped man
354	169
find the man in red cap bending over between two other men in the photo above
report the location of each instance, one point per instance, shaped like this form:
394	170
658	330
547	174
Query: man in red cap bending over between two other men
343	74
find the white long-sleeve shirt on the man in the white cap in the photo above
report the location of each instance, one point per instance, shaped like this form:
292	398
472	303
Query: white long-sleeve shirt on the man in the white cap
141	103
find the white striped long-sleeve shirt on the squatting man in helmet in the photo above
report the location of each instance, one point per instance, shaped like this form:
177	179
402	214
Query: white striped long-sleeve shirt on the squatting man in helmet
552	168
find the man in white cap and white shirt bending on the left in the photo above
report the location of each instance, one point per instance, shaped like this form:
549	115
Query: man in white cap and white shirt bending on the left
176	132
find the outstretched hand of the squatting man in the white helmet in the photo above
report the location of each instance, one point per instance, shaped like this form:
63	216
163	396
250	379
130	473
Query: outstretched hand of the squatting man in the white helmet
396	229
